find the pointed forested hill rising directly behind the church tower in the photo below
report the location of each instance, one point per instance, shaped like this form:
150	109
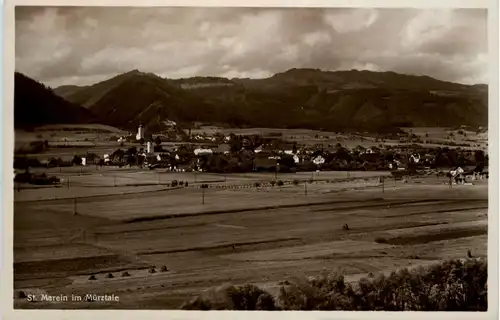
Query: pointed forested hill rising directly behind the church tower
133	98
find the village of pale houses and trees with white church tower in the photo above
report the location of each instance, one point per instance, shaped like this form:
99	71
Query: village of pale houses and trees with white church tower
219	153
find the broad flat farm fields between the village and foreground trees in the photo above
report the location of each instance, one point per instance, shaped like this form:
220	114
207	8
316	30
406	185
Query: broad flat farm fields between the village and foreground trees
260	235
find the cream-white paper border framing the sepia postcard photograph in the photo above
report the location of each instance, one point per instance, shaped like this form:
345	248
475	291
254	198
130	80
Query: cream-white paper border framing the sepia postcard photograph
6	304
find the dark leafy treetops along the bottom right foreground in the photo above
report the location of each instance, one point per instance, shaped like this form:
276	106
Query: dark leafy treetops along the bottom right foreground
453	285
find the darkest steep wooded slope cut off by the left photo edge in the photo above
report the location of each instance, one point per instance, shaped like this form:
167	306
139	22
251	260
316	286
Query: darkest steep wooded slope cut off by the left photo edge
35	105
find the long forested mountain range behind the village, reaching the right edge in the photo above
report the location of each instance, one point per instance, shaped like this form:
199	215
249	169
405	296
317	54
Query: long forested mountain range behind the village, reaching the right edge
307	98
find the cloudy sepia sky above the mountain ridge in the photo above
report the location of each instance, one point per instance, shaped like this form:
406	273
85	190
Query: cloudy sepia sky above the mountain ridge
83	45
